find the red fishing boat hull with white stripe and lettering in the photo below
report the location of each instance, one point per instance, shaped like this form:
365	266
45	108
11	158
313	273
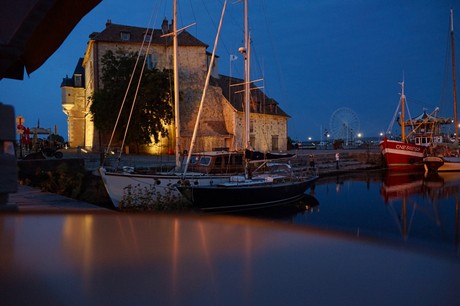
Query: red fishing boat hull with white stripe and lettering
402	156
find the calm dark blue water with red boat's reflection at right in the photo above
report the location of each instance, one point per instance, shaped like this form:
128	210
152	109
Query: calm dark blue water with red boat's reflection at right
411	209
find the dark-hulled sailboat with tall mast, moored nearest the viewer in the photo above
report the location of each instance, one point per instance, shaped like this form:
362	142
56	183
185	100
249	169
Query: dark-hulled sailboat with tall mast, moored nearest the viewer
256	189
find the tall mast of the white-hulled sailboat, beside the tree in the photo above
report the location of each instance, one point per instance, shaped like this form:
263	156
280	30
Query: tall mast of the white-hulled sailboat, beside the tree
176	86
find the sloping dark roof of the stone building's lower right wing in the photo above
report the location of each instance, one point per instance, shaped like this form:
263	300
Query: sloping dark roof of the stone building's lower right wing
260	103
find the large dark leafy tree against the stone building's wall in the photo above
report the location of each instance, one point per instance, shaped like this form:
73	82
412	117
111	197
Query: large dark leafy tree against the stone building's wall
153	108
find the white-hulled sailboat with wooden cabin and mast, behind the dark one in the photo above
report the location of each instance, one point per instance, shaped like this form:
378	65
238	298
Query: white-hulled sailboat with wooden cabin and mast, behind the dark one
134	189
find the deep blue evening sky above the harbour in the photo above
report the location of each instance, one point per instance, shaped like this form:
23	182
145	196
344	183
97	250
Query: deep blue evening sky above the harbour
315	56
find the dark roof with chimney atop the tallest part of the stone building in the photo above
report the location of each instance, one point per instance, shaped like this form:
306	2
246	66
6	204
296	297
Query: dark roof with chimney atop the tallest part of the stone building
112	33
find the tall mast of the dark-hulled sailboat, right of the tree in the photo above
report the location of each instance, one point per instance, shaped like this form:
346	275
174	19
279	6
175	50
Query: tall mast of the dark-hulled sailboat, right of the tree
246	75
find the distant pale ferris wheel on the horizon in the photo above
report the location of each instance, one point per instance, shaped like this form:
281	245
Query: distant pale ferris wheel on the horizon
344	124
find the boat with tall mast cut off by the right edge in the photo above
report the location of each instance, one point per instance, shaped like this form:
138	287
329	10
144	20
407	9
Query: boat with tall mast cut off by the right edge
446	157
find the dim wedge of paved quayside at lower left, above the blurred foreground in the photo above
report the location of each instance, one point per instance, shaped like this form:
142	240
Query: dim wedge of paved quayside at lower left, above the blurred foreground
29	199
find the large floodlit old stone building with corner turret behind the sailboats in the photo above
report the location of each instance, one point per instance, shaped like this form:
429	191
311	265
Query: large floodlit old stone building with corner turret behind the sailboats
222	121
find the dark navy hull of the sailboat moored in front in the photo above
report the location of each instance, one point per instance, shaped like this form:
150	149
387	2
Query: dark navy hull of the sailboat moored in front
246	196
